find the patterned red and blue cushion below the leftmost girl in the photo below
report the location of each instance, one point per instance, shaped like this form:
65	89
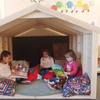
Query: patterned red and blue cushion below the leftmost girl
7	87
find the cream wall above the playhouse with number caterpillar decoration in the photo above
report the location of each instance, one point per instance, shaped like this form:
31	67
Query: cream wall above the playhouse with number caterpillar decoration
11	6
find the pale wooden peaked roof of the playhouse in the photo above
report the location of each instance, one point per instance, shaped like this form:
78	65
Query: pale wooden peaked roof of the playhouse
40	16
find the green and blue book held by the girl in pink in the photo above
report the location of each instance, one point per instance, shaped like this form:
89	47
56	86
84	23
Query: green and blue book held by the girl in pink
58	70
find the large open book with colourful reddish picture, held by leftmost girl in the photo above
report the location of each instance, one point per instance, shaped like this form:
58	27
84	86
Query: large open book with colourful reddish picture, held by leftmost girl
19	69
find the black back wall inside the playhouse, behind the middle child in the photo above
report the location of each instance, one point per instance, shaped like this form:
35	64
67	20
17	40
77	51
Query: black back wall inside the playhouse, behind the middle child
30	48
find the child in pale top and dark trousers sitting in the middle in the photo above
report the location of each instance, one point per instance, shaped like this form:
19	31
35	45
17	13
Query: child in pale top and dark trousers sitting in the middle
45	63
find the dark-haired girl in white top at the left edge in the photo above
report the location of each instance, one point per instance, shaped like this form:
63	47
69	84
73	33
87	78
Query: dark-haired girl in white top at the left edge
5	71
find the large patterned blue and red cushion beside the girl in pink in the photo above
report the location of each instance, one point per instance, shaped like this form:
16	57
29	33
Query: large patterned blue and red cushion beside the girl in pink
78	85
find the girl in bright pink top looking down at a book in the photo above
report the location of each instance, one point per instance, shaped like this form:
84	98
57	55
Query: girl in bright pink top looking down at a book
71	66
